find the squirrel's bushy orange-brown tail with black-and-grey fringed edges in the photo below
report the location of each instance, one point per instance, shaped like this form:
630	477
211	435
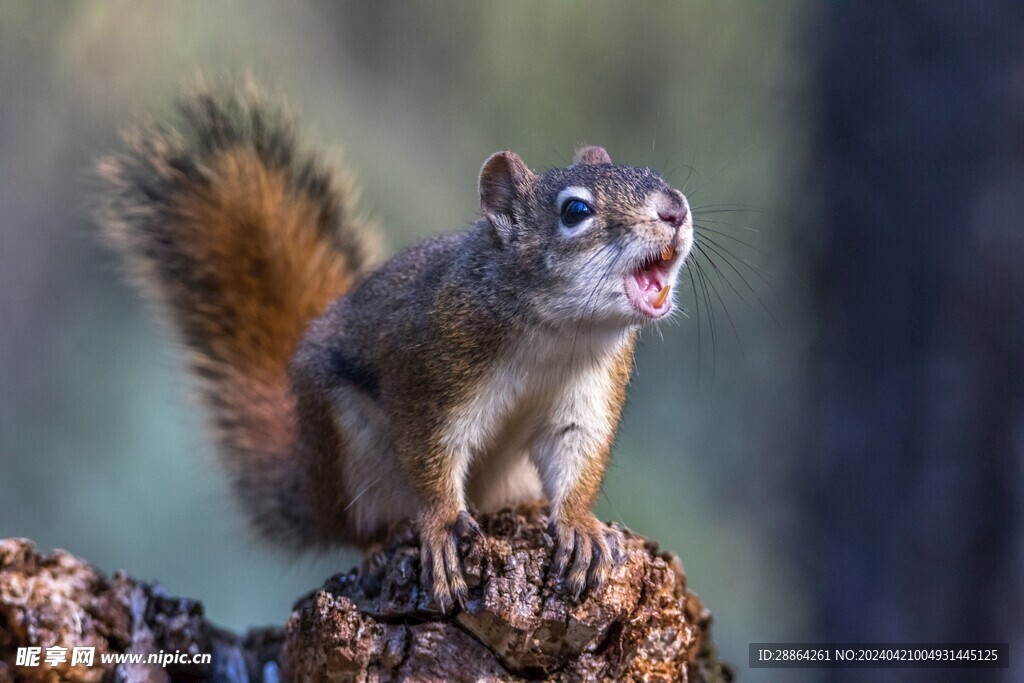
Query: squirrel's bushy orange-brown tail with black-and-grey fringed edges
241	241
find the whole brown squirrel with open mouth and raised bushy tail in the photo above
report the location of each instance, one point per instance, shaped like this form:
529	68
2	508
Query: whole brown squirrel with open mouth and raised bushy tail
477	370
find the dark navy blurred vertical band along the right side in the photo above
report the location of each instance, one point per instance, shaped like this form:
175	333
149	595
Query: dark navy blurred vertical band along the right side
915	445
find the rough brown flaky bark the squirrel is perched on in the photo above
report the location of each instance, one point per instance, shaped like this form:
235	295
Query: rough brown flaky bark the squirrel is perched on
519	624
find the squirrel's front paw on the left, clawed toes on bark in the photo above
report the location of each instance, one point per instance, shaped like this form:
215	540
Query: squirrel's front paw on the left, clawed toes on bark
441	570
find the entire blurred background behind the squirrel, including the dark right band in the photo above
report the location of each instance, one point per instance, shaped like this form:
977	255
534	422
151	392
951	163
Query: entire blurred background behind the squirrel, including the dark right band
832	439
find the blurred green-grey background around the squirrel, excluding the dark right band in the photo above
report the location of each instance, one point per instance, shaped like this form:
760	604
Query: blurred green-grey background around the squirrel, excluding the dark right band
104	453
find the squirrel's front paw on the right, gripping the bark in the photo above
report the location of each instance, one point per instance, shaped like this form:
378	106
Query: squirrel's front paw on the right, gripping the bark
588	549
